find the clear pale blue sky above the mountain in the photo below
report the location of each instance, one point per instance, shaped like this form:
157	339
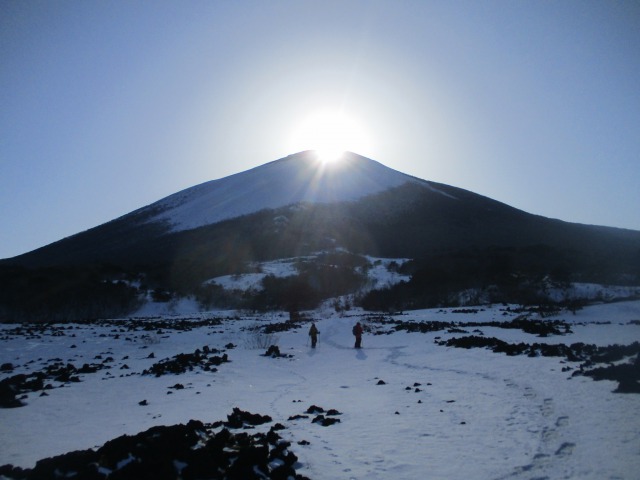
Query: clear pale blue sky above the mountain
106	107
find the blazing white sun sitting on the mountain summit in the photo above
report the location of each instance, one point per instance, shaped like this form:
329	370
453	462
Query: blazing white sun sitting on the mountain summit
329	134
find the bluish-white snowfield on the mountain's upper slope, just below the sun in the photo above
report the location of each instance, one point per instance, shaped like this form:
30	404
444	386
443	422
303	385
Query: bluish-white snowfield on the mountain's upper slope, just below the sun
293	179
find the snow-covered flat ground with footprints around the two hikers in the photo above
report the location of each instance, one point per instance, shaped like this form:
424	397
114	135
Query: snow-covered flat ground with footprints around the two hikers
477	414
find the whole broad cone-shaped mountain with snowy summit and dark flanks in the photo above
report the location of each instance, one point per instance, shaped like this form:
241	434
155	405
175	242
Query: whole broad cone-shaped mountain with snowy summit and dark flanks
299	206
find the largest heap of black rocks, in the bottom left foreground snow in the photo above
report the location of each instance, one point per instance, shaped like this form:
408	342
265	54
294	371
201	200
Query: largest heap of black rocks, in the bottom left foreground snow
193	450
